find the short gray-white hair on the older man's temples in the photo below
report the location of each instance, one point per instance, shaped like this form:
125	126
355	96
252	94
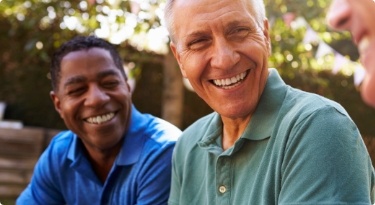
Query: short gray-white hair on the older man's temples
256	6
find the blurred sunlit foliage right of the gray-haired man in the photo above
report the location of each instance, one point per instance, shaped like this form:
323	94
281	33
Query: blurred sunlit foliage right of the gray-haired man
298	66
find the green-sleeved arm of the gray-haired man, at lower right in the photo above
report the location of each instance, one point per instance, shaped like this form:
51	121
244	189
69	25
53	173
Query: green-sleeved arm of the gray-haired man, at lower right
326	162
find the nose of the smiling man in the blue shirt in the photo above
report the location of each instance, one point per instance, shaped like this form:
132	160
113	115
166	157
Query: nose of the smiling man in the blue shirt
96	97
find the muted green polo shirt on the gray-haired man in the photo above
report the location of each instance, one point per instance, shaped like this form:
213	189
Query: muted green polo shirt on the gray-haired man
299	148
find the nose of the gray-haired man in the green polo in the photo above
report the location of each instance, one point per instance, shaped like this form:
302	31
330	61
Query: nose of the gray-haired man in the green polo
224	55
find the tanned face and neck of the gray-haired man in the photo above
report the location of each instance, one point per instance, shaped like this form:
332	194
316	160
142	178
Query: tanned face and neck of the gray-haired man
219	42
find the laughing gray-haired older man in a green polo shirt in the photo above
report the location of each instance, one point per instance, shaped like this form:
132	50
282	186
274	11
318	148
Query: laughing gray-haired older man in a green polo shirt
265	142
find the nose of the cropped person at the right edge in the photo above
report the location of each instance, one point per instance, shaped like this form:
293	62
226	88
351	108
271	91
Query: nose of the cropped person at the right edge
339	14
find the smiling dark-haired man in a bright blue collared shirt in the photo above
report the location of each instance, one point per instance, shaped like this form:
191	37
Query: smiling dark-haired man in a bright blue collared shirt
112	154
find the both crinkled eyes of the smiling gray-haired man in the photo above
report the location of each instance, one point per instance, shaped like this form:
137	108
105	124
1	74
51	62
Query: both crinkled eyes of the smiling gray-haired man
201	41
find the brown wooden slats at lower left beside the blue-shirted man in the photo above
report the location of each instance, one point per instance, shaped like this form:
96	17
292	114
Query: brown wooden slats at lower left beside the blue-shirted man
19	151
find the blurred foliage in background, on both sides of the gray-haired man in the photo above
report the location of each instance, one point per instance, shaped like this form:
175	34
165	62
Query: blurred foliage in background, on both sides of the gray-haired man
31	30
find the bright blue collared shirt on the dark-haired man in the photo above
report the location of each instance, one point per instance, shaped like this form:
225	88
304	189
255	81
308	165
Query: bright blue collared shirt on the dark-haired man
140	174
